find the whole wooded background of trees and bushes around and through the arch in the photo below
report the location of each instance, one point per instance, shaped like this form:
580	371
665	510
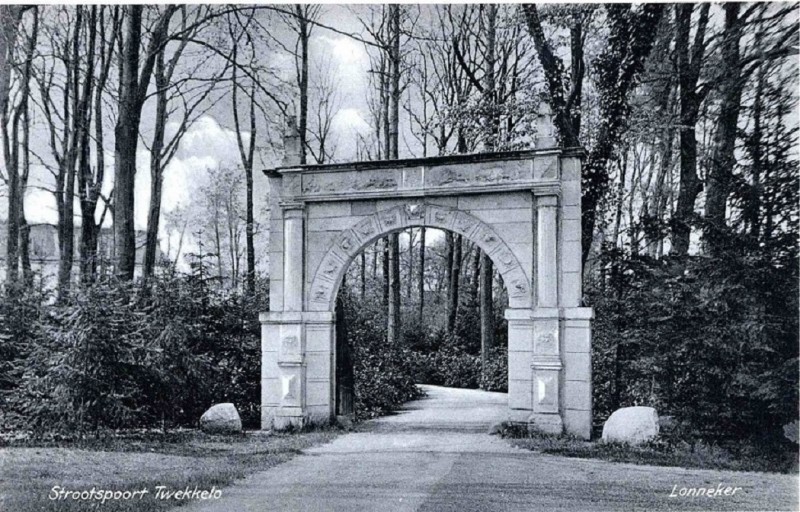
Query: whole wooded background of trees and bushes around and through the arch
688	114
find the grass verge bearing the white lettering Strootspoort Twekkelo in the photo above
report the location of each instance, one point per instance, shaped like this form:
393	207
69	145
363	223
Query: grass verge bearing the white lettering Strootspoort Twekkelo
28	472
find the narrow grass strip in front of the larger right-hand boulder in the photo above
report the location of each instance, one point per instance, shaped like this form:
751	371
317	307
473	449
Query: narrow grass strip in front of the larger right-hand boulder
658	452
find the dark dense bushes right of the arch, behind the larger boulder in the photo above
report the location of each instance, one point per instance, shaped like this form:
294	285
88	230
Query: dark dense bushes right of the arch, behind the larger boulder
711	341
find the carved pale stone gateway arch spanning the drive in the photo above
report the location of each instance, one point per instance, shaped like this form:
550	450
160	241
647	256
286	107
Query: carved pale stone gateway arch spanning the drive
522	208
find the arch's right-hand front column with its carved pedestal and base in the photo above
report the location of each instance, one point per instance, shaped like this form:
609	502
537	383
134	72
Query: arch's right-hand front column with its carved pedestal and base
546	358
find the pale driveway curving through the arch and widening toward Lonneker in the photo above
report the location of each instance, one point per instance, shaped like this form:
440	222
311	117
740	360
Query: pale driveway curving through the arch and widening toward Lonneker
435	455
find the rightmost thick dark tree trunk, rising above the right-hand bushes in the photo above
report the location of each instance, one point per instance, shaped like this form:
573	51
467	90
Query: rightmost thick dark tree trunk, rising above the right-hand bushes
720	175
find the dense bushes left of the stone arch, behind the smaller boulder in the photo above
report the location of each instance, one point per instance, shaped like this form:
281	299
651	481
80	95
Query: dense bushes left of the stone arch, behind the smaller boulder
121	356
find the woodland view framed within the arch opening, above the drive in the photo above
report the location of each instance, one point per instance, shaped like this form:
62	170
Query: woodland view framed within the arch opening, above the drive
452	330
